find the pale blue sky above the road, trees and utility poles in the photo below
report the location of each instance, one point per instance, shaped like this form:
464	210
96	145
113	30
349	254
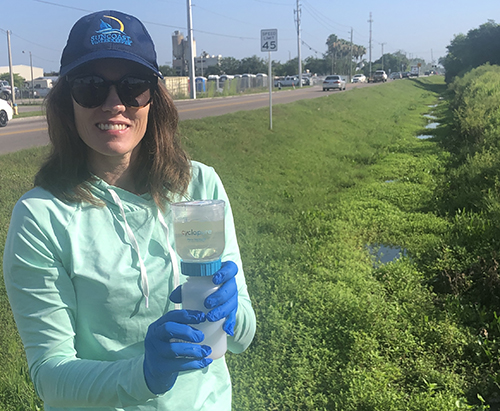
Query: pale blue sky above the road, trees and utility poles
422	28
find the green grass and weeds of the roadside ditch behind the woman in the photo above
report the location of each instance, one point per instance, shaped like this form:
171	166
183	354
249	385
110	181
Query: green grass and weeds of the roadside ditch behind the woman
337	330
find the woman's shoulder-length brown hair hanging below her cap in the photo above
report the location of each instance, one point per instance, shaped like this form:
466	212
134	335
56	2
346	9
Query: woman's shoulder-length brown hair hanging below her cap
162	166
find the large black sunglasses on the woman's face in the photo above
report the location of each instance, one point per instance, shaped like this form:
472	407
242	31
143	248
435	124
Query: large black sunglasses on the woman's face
91	91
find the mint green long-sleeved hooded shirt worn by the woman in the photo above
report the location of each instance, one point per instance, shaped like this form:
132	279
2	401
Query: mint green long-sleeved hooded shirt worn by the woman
74	284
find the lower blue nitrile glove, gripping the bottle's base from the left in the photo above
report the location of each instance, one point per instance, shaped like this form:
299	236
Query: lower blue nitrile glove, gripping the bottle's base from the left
163	358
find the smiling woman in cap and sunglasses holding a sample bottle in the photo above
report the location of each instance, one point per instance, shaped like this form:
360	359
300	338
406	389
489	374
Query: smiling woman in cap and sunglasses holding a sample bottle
89	265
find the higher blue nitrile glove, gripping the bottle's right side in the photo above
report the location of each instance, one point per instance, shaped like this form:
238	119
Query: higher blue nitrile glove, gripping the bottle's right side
223	302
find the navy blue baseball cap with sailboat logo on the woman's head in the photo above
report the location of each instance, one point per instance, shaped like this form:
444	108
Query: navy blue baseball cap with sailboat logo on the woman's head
108	34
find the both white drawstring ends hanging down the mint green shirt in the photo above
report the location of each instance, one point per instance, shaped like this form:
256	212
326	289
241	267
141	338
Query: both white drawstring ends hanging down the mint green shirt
135	245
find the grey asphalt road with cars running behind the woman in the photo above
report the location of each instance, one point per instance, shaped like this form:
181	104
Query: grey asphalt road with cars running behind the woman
29	132
